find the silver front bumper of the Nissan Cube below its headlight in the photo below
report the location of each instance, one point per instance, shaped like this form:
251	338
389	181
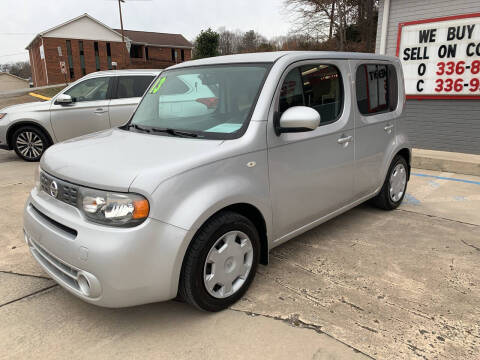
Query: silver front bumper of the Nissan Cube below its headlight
106	266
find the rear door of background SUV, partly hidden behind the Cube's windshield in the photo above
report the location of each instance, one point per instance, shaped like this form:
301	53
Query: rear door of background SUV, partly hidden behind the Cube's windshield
127	93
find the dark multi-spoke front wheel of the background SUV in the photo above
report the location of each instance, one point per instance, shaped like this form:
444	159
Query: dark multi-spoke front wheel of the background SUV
29	143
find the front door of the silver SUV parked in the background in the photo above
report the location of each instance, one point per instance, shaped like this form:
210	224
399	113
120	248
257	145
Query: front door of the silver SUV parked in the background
86	114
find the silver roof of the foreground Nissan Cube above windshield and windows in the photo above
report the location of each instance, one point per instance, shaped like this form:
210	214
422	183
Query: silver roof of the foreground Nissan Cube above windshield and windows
270	57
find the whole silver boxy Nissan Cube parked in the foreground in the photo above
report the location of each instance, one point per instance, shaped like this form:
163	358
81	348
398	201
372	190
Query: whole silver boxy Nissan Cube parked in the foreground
224	159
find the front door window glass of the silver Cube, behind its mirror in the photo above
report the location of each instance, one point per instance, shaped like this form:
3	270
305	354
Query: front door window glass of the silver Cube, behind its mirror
316	86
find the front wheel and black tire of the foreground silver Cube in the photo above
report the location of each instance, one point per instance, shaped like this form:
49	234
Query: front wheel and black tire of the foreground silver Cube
221	262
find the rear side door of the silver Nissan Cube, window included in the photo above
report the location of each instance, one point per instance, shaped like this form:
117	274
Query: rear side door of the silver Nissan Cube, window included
376	99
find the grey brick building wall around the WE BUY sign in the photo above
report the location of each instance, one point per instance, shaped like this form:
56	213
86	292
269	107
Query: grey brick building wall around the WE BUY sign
448	125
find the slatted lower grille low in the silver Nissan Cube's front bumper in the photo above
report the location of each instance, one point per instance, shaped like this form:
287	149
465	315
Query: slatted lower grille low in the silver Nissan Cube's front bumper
63	271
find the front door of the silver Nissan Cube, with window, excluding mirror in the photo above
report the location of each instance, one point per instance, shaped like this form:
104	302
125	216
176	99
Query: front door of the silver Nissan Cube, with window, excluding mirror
311	173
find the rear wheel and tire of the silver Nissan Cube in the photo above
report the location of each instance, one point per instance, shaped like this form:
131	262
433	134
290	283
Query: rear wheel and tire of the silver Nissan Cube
395	185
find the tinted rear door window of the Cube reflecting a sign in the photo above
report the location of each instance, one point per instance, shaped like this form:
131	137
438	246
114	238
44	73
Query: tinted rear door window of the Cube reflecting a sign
377	88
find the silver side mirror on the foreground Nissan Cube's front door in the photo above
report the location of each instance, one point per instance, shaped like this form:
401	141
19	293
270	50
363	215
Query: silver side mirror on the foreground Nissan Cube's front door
298	119
